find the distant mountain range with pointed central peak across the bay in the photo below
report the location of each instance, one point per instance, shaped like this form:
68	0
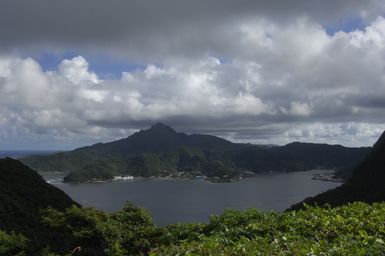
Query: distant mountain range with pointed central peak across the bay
162	152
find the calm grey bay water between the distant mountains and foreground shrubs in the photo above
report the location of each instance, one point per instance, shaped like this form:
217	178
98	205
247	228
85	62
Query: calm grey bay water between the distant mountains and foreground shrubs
172	201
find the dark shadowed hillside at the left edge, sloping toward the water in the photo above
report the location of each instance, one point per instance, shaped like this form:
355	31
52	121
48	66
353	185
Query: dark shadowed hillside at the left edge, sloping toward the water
23	194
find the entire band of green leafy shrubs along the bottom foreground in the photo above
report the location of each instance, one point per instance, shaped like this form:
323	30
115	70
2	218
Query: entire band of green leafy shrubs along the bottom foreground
354	229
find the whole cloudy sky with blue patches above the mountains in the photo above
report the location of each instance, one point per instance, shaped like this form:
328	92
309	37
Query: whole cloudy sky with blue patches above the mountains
73	73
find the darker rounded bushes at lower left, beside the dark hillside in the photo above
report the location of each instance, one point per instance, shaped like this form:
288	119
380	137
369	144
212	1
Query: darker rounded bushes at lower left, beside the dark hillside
126	232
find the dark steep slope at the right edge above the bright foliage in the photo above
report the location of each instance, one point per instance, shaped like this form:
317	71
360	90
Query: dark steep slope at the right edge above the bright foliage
367	183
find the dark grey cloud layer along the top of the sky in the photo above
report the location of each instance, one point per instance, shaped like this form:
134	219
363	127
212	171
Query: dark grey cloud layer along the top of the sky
154	29
